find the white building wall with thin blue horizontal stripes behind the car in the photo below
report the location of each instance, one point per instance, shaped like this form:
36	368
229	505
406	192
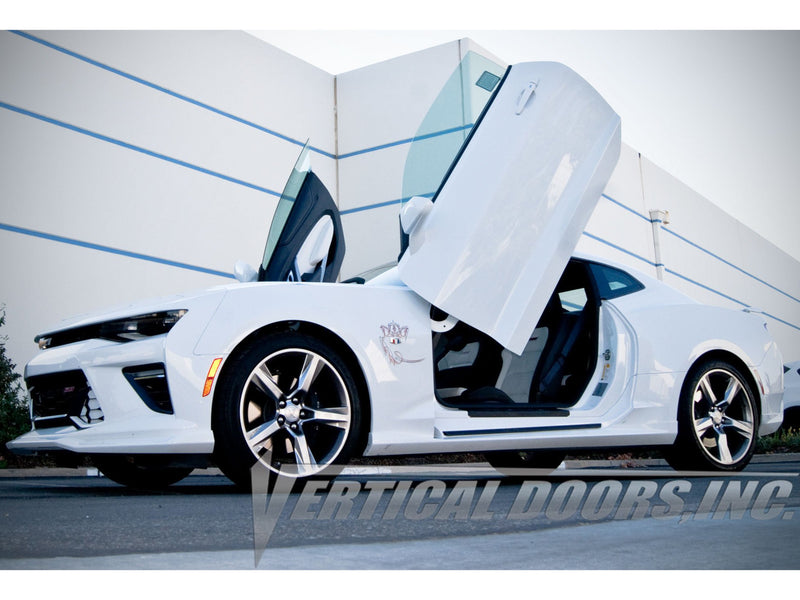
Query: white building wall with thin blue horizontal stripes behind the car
136	164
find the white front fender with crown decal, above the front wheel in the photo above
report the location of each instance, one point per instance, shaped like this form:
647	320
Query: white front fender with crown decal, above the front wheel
401	395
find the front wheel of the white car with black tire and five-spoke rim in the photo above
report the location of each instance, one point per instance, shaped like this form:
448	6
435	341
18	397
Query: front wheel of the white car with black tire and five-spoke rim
288	401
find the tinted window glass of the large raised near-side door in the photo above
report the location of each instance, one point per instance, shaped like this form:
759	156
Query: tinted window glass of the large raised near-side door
448	123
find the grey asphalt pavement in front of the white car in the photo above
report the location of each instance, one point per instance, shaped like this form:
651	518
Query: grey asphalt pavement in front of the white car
585	516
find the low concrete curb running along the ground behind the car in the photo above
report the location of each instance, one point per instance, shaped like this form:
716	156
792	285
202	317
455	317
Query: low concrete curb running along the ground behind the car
569	464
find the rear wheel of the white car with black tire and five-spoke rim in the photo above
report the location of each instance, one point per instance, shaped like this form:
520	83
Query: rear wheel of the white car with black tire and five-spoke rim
717	420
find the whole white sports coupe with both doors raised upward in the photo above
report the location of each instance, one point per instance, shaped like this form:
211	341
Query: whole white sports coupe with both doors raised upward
488	336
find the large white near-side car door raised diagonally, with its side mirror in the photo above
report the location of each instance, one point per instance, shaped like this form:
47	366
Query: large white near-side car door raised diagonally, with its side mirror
490	246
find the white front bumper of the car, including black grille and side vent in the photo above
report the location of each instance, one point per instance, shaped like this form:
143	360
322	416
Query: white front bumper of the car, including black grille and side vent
94	395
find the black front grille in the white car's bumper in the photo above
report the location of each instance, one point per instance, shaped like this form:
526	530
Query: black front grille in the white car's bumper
60	399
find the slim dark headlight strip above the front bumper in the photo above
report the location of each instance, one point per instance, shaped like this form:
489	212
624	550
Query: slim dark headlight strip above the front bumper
128	329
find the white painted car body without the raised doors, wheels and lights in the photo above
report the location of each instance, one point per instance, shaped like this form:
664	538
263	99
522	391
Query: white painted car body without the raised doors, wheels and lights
667	330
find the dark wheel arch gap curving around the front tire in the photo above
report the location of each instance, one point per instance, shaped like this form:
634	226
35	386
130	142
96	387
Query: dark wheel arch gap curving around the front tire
324	335
